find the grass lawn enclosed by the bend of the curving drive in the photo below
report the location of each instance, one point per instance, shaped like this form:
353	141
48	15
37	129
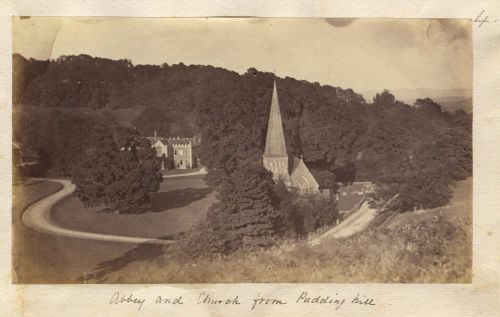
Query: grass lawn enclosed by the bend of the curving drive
180	203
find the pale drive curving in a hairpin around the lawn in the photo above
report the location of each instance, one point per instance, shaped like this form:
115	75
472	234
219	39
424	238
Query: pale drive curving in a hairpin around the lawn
37	217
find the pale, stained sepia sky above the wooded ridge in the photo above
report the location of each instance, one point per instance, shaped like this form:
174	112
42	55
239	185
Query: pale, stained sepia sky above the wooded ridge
362	54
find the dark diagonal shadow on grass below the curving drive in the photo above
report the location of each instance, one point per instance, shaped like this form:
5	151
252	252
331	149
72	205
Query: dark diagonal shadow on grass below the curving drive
141	253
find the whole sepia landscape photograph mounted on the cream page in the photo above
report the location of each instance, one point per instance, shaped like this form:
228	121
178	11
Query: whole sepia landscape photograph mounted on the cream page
241	150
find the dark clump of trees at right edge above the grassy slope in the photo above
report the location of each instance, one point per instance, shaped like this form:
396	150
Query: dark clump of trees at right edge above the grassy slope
424	177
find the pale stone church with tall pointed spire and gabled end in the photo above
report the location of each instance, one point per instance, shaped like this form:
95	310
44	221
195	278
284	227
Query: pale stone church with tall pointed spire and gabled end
292	170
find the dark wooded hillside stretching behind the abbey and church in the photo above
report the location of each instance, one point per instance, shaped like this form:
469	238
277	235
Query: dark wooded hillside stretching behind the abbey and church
334	129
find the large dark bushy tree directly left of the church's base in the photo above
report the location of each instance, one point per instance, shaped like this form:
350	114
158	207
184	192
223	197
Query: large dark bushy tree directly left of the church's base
245	215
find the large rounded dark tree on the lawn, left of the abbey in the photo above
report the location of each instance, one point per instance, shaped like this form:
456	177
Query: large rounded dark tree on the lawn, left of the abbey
118	170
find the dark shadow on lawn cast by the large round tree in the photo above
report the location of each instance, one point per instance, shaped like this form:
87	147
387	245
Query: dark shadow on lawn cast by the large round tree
177	198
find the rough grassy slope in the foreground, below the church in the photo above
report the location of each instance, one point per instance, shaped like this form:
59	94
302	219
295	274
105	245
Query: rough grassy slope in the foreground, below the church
430	247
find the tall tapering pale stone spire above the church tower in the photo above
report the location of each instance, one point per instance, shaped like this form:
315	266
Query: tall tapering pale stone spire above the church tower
275	140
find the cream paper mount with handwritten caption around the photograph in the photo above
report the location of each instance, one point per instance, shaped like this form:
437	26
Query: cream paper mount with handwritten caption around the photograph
481	298
